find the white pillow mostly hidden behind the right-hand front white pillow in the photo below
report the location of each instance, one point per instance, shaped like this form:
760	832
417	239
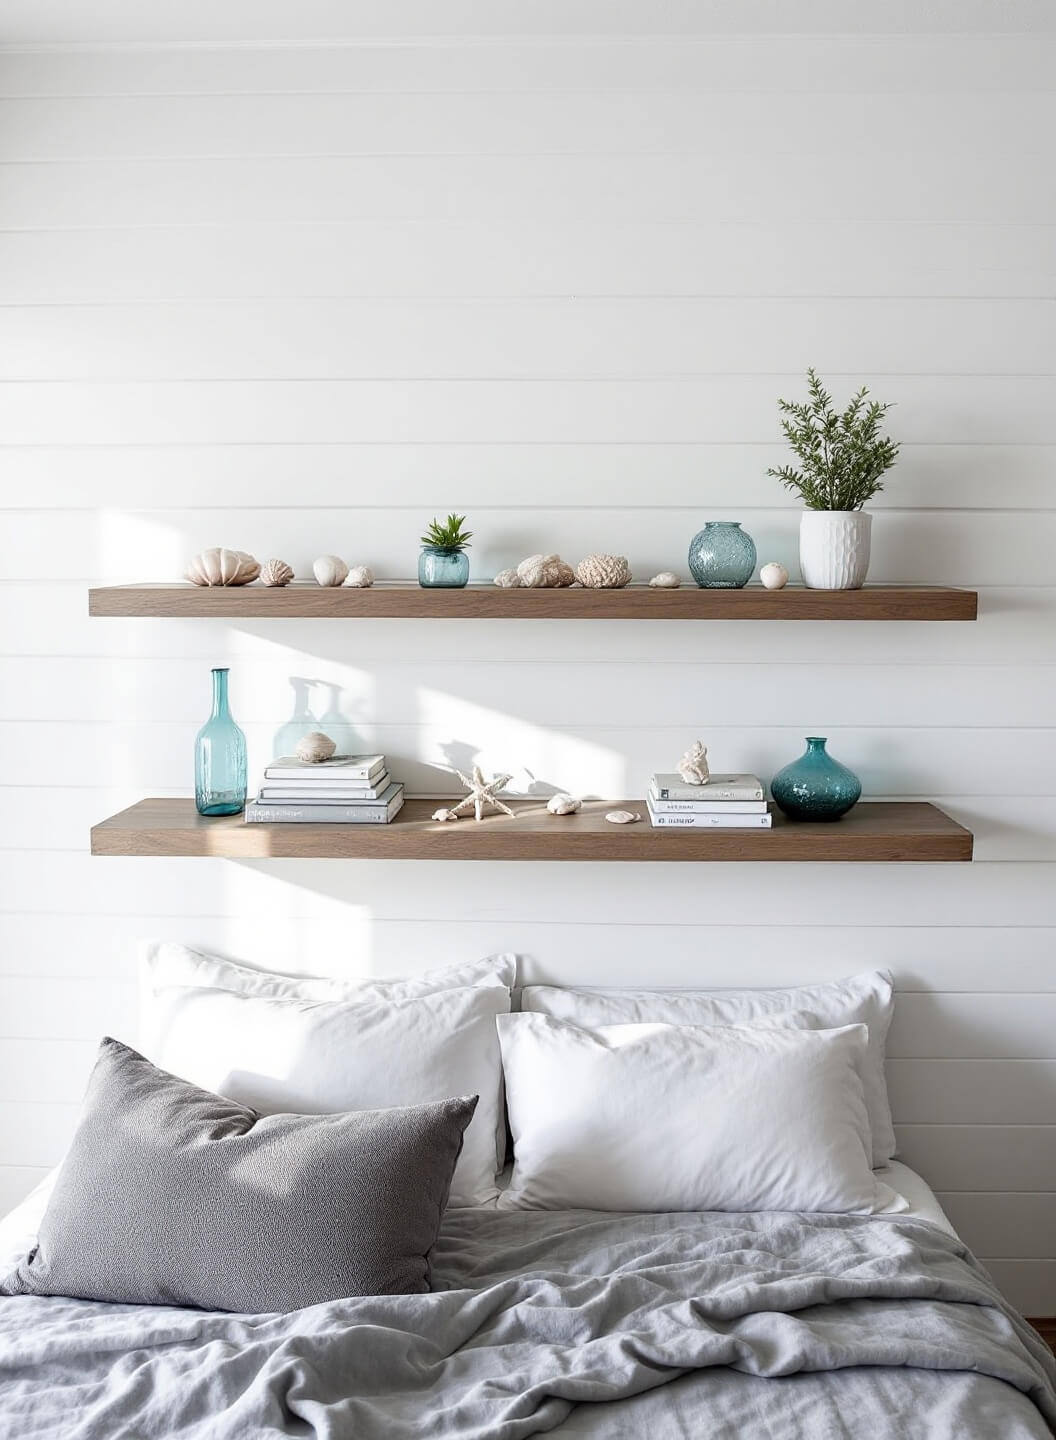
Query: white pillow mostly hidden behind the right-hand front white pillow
861	1000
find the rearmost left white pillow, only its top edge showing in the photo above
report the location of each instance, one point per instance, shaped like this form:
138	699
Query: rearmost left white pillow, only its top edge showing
169	964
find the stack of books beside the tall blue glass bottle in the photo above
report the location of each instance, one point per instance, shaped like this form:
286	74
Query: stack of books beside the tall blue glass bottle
351	790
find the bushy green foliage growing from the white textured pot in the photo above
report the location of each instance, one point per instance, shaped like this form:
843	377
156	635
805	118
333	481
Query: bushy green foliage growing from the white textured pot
844	457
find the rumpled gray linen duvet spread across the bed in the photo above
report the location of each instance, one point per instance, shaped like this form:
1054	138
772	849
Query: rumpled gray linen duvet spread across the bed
573	1324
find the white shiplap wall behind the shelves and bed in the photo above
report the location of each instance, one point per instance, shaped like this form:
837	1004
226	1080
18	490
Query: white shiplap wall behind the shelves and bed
295	279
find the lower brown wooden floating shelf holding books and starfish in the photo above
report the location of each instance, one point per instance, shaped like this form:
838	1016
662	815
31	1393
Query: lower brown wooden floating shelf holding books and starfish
874	832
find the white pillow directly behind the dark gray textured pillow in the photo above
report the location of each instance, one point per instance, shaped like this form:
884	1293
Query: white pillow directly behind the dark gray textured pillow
312	1058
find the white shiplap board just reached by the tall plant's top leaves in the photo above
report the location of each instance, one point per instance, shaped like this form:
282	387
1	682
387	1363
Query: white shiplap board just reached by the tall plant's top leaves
525	339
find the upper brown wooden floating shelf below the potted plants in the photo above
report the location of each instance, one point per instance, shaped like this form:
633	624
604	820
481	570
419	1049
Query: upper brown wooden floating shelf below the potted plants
485	601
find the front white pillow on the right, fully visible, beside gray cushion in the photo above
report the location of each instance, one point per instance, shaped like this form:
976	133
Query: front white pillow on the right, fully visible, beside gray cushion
645	1118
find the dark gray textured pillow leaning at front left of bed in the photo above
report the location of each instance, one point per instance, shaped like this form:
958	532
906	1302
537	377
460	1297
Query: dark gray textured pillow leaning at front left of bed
174	1196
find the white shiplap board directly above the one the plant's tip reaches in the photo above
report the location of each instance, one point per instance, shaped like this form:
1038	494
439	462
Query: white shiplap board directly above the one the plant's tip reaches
450	258
